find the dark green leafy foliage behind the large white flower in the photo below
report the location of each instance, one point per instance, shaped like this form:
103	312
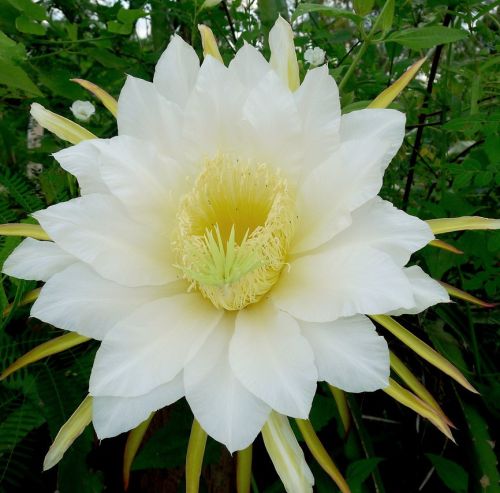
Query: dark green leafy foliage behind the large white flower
448	166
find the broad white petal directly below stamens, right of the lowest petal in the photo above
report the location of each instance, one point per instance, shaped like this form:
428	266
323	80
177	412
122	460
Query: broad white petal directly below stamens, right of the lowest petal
273	360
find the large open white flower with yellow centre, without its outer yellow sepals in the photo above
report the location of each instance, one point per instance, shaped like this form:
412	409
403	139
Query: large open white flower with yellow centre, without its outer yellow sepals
228	244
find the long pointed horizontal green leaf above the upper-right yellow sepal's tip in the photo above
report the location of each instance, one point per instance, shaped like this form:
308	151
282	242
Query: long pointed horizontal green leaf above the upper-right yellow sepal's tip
426	37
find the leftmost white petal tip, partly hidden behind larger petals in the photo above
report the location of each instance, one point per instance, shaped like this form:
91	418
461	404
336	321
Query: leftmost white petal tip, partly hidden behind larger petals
37	260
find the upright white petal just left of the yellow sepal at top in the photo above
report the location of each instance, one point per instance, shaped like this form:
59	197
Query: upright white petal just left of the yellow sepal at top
176	71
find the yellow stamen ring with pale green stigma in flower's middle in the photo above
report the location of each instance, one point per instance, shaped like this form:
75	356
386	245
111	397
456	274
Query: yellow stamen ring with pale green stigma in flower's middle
233	231
